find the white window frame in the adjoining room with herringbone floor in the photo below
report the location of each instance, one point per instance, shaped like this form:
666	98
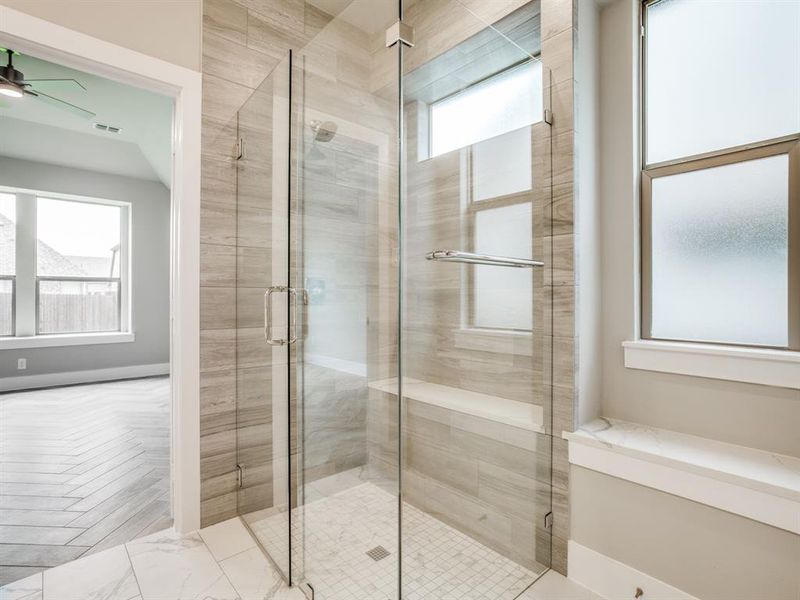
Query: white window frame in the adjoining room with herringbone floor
30	330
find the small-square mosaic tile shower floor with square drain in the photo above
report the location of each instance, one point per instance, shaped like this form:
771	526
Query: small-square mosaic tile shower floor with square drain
440	562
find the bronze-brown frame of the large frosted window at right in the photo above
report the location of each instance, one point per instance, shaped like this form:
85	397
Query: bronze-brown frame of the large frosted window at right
788	145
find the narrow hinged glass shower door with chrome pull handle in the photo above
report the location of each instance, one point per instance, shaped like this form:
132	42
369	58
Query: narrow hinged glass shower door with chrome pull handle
265	317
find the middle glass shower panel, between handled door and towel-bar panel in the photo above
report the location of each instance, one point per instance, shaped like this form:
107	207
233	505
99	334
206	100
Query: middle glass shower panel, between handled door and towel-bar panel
345	237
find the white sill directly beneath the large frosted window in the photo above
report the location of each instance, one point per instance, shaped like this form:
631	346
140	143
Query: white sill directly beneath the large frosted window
780	368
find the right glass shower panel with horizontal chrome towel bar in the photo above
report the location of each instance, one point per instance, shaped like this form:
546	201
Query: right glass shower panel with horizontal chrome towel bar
475	389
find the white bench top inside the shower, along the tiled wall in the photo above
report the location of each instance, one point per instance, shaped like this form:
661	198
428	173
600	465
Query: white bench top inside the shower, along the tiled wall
493	408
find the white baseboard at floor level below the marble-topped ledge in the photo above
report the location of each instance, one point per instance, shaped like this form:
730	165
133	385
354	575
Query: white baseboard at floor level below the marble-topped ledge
612	579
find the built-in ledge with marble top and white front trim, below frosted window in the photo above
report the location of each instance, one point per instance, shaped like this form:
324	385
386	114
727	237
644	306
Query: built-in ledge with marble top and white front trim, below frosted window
762	486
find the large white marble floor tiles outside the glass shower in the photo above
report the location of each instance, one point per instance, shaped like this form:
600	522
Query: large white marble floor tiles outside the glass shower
220	562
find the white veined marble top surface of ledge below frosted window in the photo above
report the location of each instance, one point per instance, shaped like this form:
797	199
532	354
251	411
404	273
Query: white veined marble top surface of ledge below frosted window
772	473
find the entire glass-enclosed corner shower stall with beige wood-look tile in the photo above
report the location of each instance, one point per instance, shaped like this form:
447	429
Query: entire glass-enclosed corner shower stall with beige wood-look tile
394	302
